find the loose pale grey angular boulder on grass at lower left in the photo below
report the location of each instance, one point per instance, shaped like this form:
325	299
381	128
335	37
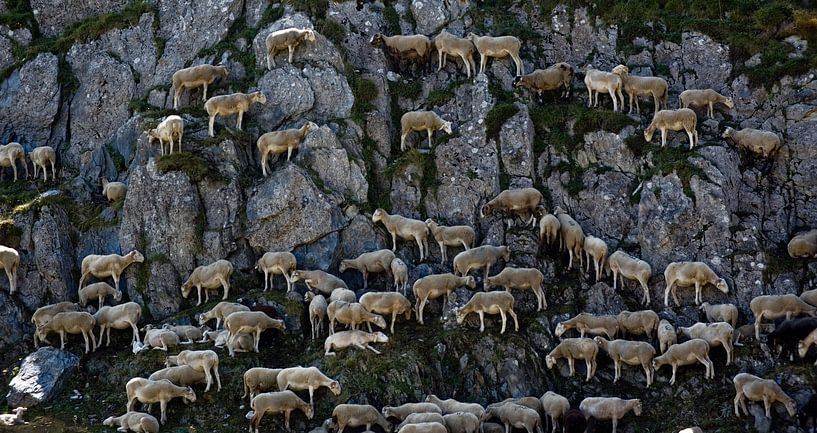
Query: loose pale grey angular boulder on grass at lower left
42	376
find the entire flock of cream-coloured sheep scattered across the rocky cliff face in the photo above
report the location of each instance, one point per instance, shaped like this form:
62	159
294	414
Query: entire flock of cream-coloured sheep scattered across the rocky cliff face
272	391
